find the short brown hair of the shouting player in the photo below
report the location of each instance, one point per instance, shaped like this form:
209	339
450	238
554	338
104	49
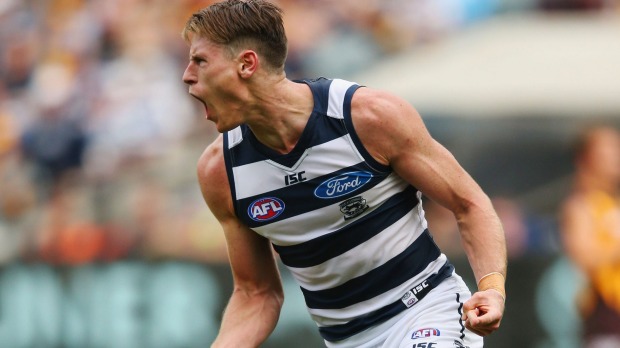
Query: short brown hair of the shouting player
243	24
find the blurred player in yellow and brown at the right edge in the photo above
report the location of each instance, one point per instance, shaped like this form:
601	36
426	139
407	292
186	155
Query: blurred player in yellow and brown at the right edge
590	223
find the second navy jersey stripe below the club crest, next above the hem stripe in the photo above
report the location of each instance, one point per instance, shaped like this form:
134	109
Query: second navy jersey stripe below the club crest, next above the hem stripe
393	273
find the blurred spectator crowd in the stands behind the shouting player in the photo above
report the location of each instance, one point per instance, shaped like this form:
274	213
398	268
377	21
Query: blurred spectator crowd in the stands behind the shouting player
99	139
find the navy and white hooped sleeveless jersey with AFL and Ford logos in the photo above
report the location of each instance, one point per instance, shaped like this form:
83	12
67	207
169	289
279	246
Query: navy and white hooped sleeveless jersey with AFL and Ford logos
350	230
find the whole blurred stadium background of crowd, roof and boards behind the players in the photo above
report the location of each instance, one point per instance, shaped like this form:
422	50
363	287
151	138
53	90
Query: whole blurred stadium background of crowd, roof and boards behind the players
104	238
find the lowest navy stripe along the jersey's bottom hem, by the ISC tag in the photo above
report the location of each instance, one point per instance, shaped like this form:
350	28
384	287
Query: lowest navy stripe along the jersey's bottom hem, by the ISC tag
340	332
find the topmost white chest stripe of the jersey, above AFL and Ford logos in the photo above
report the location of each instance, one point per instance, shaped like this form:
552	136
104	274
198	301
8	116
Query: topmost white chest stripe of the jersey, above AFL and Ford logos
320	160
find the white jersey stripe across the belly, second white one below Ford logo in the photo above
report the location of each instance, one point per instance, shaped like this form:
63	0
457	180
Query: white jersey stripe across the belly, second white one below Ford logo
377	251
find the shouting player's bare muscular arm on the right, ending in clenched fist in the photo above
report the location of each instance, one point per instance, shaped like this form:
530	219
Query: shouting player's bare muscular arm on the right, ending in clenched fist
394	134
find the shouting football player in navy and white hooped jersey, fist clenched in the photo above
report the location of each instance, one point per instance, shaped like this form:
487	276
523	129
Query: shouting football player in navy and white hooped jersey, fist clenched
331	176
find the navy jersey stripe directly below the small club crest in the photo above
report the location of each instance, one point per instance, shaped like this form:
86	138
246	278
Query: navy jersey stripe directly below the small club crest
321	249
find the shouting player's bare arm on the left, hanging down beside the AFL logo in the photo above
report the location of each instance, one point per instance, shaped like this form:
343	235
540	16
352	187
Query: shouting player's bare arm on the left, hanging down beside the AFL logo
254	306
